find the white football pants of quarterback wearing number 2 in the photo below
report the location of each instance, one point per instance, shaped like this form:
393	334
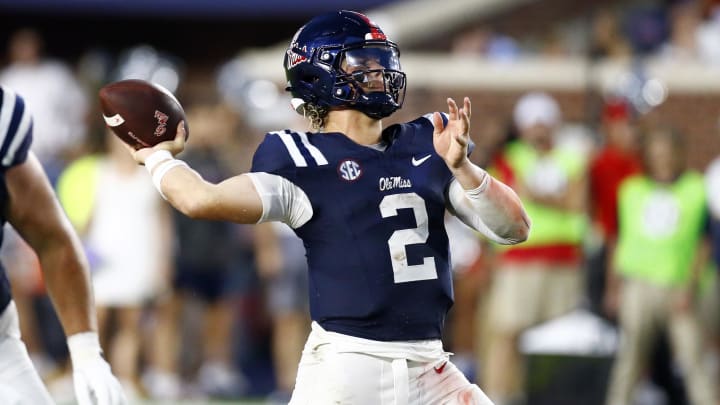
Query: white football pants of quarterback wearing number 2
340	369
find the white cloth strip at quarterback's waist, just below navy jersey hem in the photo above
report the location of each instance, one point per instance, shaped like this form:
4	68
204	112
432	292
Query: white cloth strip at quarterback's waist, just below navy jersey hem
424	351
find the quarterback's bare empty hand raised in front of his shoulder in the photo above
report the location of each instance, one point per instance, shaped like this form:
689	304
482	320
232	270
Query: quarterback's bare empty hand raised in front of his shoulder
451	140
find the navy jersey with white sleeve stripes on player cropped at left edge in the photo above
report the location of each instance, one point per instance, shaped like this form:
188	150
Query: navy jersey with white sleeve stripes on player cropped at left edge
15	140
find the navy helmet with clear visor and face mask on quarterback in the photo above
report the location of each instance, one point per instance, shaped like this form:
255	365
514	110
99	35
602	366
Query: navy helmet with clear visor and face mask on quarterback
342	59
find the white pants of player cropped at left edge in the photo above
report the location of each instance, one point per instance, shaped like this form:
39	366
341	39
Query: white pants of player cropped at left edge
20	384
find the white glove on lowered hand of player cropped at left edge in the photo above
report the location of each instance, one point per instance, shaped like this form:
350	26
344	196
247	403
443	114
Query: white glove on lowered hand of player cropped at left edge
94	382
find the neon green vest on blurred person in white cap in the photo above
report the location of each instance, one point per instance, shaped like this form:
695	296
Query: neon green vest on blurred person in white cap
550	226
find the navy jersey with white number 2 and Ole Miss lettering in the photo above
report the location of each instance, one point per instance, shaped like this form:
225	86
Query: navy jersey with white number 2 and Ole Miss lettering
376	245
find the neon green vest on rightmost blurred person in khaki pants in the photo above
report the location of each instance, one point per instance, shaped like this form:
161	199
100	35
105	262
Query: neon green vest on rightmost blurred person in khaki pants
660	228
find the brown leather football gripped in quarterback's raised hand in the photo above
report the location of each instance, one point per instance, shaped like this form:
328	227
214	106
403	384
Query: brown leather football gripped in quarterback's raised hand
141	113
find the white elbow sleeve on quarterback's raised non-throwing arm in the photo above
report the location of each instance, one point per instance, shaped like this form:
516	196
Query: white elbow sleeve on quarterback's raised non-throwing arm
478	212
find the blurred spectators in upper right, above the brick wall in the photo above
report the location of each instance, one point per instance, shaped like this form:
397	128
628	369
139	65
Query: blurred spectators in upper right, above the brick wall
673	30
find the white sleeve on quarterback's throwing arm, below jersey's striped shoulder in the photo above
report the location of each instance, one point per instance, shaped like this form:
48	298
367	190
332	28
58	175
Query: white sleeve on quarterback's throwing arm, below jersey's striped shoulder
282	200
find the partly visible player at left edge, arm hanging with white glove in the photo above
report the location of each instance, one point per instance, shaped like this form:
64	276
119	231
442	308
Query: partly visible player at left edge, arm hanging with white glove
27	202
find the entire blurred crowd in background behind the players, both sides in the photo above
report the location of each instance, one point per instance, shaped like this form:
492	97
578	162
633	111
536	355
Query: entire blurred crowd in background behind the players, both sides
625	238
